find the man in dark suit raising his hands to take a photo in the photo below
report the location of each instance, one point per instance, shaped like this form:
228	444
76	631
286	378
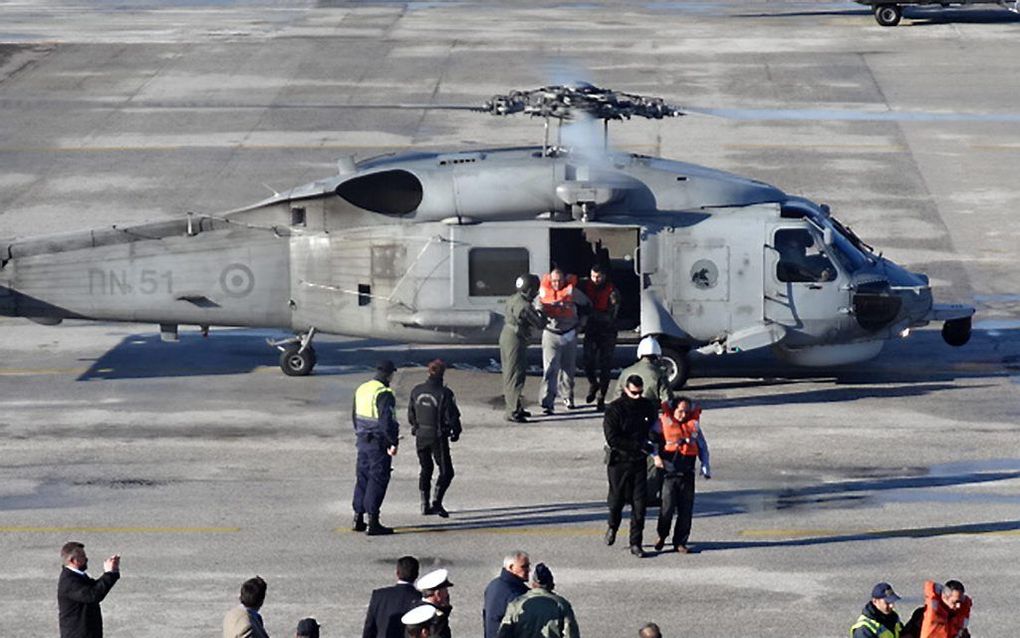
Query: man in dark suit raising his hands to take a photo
79	597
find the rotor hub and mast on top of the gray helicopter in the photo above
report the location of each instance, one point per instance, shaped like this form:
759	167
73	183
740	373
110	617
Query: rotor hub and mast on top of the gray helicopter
564	103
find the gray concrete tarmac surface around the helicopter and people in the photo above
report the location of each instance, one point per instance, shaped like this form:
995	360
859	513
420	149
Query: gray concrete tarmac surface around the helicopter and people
202	465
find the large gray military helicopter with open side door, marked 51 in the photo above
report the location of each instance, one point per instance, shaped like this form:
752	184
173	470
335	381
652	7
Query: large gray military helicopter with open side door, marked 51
425	248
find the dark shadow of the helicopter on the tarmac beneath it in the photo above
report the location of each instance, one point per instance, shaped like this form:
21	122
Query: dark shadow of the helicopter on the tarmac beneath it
923	360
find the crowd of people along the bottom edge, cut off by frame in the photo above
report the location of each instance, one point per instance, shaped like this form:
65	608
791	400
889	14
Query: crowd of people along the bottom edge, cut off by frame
515	606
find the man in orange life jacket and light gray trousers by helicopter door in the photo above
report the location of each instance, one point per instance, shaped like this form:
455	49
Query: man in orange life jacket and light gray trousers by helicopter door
559	300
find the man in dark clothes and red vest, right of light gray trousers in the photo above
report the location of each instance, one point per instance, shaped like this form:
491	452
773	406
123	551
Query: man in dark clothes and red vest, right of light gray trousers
600	333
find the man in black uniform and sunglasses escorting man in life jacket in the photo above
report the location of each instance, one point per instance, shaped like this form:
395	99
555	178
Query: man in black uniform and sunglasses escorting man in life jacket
627	425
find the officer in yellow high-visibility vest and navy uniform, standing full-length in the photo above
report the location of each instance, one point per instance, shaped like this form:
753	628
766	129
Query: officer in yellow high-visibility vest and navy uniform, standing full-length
378	432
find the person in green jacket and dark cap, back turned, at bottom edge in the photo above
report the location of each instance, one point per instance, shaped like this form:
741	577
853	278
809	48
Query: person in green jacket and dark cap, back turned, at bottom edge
540	613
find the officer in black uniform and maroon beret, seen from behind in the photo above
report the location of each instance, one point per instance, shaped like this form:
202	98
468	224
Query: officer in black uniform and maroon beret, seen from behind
435	421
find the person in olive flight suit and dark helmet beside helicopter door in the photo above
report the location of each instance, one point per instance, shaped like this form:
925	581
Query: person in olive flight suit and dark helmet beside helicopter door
520	320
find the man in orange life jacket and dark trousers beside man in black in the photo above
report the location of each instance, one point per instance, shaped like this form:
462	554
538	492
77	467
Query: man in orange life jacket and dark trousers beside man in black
679	440
